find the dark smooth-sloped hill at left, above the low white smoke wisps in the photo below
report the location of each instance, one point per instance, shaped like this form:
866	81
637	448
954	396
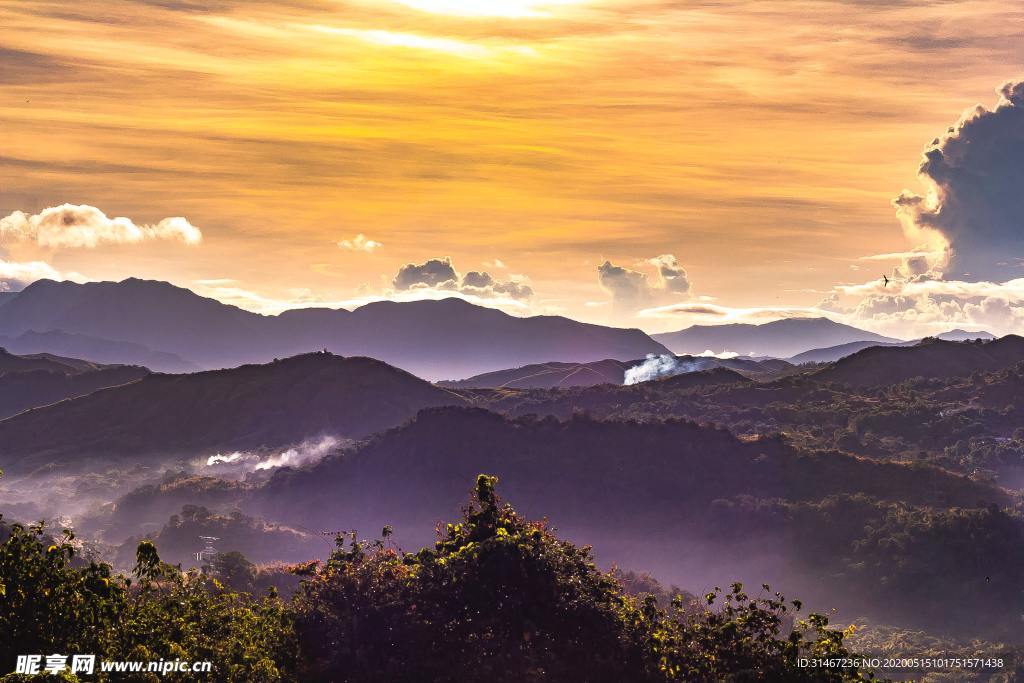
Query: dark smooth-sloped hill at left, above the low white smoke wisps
279	404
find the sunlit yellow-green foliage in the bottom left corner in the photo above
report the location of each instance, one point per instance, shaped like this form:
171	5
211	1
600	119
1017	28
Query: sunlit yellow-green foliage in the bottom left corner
52	604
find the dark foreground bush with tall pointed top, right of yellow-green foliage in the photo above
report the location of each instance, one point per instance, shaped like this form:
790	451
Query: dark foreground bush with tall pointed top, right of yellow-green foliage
499	599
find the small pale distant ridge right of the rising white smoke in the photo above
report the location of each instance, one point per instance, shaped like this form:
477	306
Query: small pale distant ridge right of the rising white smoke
781	339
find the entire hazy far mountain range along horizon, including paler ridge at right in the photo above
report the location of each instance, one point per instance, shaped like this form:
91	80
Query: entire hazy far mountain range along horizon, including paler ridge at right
172	329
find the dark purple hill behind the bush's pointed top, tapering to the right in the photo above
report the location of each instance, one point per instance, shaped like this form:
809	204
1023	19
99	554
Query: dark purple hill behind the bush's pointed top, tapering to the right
581	472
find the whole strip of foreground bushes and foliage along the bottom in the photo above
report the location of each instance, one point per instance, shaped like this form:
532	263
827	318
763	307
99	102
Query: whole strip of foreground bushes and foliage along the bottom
497	599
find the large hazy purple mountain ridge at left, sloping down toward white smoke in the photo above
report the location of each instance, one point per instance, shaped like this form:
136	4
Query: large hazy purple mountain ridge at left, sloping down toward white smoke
450	338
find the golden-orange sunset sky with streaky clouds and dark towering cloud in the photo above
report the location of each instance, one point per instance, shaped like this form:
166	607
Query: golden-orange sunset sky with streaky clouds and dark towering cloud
639	163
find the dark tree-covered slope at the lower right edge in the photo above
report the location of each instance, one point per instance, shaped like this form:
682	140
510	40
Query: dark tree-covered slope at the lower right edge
921	567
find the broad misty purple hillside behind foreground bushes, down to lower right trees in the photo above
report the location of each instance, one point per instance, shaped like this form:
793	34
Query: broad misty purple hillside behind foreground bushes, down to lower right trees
688	502
